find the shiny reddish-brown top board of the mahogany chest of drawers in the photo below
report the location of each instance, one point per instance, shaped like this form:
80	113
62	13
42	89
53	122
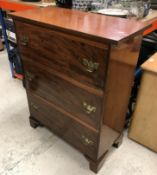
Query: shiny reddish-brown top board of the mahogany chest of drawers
104	28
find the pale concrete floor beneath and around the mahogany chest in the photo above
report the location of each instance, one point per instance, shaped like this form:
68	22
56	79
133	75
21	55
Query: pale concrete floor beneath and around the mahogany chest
27	151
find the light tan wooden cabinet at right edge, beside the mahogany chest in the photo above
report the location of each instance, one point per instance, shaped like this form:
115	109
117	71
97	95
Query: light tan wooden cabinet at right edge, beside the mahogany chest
143	128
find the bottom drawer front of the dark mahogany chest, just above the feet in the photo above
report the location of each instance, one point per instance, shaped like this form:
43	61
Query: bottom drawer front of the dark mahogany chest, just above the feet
76	134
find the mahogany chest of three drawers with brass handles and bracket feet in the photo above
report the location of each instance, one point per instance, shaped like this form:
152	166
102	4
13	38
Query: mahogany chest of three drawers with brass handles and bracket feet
79	70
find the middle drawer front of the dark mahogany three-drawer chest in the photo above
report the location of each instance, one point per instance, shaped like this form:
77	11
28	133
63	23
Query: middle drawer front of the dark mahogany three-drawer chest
73	99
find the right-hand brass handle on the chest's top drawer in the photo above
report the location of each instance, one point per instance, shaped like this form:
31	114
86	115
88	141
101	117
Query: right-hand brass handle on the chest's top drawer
90	65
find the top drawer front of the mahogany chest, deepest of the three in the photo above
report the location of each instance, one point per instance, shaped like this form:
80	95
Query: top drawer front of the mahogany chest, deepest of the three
70	56
